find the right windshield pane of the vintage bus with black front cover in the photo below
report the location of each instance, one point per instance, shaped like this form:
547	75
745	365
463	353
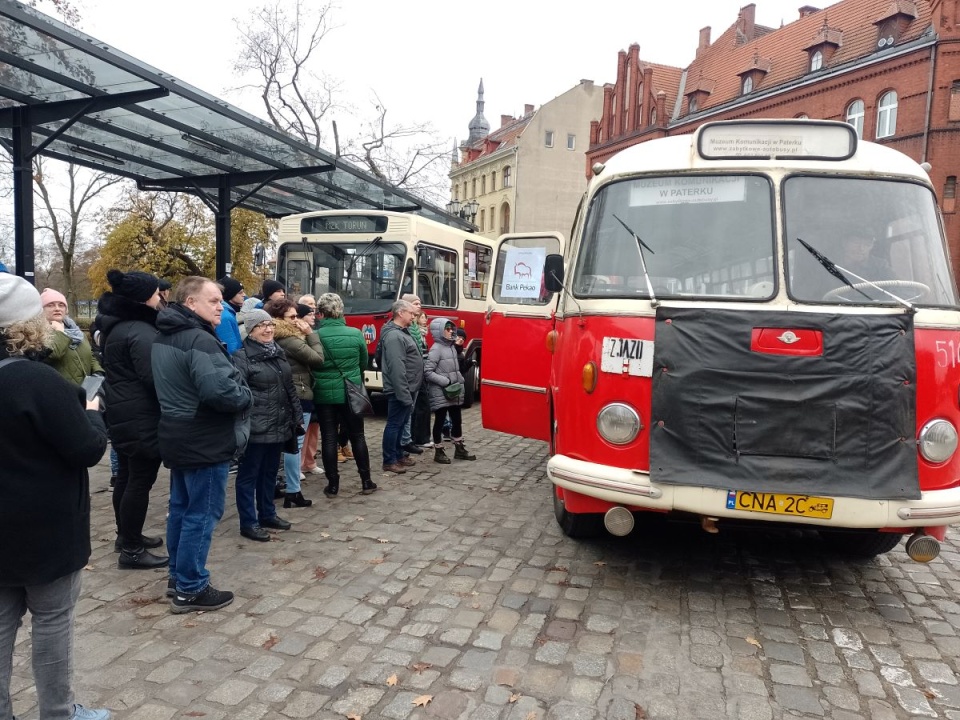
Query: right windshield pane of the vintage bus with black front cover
884	231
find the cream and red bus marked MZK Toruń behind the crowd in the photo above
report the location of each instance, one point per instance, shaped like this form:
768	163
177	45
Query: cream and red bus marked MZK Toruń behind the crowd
370	258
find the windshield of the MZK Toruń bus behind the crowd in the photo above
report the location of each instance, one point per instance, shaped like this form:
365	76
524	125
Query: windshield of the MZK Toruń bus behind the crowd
367	275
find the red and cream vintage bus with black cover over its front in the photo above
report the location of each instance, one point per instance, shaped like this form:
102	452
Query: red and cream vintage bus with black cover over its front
754	323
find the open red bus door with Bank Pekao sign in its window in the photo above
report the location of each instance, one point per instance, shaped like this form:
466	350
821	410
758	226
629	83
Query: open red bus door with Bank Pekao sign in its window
515	384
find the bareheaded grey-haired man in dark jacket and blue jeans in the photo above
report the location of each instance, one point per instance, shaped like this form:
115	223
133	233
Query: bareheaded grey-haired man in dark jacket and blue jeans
203	426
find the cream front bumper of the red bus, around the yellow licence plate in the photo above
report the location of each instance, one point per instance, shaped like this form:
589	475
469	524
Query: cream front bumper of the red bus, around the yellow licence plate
633	488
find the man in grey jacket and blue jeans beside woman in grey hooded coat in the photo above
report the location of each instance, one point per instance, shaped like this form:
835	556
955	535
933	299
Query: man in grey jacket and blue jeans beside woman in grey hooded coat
402	370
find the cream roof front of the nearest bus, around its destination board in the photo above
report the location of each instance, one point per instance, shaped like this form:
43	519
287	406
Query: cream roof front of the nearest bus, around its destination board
679	153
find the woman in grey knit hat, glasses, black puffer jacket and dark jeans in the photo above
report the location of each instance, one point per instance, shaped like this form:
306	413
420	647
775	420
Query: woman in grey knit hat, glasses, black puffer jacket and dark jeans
275	420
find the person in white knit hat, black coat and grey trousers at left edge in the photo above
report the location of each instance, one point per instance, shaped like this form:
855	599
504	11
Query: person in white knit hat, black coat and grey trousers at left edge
49	435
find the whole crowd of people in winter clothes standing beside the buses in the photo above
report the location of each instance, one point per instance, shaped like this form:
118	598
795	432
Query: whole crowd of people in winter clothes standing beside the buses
206	382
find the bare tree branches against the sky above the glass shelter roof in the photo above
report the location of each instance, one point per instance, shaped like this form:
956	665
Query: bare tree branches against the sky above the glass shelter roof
278	45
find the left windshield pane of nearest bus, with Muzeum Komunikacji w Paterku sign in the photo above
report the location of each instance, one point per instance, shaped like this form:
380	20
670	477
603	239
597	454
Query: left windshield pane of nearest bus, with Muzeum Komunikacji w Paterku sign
709	236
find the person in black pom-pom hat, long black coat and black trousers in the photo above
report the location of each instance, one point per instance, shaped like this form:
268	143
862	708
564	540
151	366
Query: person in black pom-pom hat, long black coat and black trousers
127	318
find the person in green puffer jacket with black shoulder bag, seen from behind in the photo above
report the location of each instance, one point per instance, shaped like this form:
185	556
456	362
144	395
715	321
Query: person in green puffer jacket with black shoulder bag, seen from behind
345	356
